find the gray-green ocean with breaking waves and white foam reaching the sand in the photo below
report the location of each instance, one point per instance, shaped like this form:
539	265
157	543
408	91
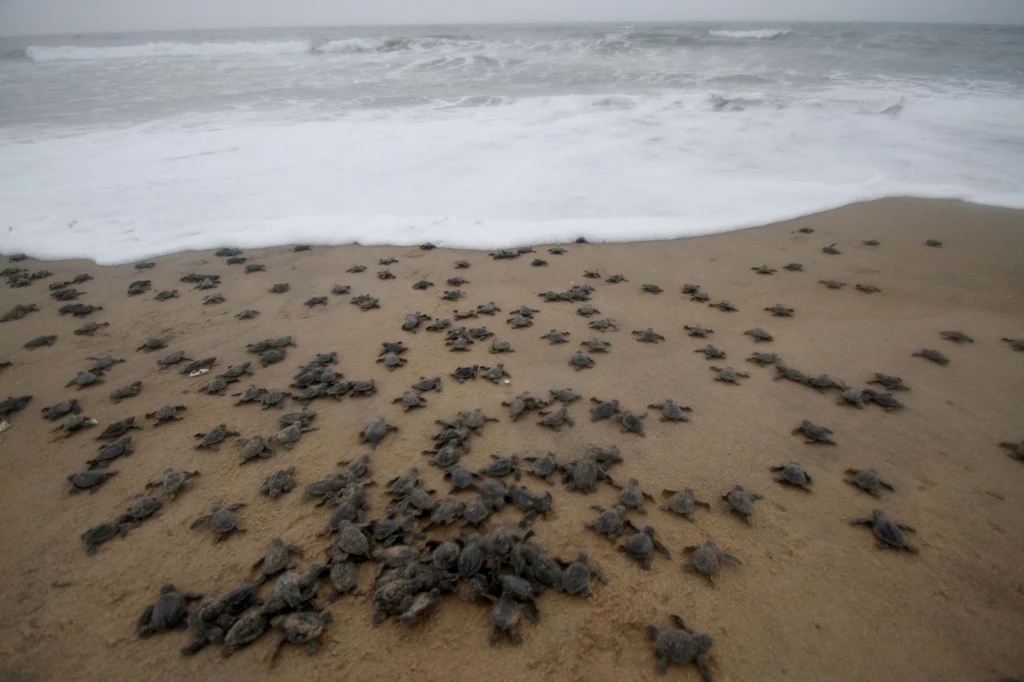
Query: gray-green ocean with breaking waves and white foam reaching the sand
117	148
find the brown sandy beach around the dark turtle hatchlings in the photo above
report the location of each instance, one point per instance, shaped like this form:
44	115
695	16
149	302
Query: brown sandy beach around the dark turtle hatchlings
815	599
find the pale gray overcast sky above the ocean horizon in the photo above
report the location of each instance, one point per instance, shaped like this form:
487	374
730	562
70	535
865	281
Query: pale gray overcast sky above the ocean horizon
57	17
